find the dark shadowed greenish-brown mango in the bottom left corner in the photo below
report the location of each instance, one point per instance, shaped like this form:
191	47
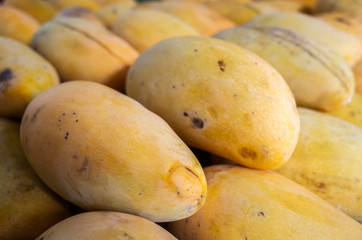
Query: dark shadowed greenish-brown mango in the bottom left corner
27	206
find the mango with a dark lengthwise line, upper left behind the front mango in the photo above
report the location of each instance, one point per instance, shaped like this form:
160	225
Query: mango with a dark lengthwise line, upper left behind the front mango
80	49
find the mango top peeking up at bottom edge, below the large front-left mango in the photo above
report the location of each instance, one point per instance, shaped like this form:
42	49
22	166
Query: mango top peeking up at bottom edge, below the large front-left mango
106	225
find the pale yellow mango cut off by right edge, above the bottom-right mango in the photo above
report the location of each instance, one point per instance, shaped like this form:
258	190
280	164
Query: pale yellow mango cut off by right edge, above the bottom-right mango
327	160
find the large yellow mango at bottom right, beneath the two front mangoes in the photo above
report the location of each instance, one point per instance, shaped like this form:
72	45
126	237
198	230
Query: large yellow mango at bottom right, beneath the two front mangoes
256	204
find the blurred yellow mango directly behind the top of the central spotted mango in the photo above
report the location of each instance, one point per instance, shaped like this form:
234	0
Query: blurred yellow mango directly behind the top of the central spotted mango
143	28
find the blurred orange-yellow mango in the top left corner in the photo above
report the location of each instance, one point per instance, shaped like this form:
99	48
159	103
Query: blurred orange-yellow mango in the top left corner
17	24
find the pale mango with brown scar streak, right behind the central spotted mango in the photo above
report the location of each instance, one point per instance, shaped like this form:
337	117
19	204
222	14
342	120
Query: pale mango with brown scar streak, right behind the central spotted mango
318	77
